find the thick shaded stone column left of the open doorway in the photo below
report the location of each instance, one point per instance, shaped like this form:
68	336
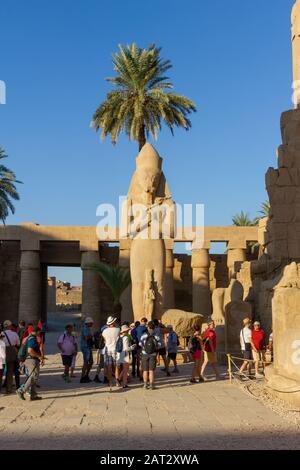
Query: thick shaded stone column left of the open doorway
30	287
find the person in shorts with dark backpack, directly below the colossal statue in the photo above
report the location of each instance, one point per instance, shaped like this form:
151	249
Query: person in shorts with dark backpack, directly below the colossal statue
150	344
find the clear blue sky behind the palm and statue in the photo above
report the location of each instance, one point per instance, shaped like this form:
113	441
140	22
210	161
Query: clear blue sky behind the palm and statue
233	58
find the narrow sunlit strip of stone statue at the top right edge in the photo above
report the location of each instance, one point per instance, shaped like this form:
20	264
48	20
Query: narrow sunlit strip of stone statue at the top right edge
296	51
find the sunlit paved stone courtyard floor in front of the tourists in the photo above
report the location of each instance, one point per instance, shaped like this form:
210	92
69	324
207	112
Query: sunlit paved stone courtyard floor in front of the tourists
212	415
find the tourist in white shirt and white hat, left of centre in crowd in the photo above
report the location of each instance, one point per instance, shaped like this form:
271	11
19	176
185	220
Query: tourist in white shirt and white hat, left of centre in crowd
110	335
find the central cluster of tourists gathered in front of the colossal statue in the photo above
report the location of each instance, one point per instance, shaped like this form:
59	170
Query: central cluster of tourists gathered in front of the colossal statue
141	344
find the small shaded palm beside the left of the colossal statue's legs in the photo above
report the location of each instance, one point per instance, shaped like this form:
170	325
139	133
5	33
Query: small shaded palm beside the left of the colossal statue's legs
116	278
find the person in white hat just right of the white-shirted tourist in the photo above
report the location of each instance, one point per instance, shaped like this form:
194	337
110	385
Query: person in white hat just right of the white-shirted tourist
123	348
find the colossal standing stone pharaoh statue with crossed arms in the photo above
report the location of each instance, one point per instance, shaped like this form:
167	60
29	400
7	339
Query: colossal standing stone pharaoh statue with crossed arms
150	220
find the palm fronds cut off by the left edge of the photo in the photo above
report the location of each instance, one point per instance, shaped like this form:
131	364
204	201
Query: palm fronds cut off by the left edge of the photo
8	189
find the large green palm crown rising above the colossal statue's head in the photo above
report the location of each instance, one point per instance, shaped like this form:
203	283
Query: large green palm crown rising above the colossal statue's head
140	101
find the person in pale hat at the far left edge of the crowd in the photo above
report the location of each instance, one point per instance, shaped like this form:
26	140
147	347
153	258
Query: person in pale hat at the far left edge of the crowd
12	343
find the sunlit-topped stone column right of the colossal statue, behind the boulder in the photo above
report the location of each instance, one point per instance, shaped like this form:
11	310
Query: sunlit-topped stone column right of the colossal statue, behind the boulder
201	288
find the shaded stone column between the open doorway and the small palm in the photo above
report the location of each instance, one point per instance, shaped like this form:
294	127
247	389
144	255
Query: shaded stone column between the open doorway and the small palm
91	302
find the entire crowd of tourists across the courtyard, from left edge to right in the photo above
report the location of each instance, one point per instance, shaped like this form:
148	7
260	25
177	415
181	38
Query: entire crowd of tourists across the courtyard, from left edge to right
140	345
